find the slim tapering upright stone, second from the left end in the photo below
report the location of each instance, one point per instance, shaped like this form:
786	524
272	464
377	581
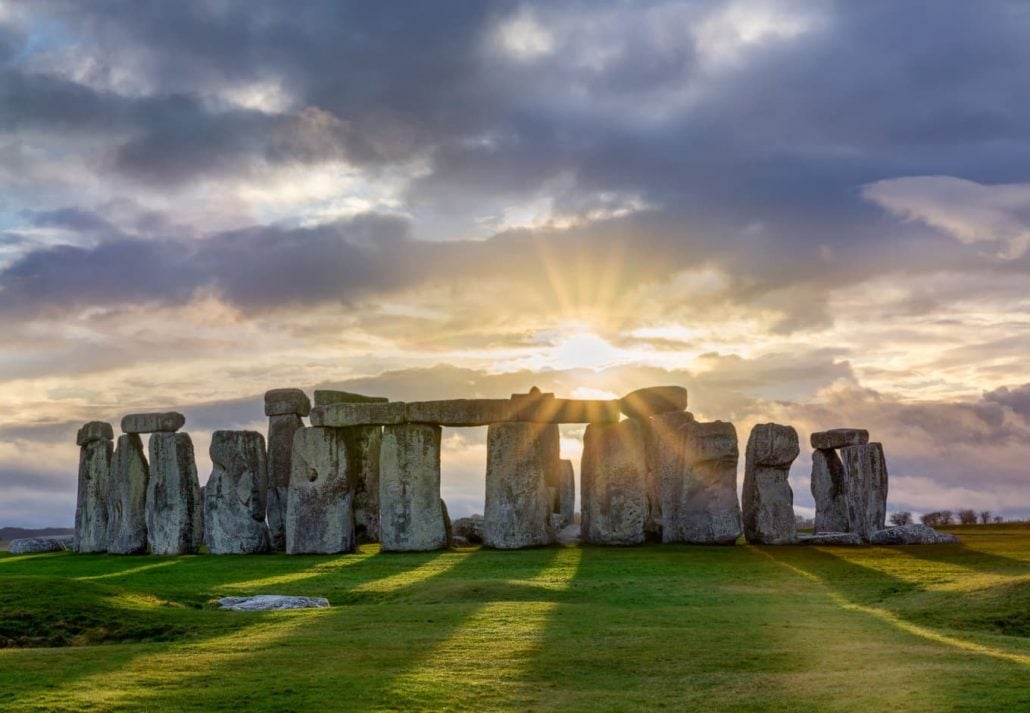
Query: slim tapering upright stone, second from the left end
127	498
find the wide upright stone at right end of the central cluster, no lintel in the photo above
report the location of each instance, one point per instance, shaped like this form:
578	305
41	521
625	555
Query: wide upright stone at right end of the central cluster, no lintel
697	470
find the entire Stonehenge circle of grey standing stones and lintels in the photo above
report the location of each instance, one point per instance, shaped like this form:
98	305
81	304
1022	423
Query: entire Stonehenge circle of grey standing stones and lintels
369	470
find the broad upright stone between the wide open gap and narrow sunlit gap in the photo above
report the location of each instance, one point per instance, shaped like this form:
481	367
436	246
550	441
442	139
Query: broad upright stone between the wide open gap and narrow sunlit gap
522	459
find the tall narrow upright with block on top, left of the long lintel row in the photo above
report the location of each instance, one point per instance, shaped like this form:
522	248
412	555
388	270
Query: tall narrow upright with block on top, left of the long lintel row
285	409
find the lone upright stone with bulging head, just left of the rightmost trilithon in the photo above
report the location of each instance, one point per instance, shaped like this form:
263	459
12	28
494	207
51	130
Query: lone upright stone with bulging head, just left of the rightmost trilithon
768	501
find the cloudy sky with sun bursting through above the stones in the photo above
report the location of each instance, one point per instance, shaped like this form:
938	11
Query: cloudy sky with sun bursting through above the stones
814	214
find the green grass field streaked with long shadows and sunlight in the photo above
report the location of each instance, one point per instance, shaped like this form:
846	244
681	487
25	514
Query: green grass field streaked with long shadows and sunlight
750	629
